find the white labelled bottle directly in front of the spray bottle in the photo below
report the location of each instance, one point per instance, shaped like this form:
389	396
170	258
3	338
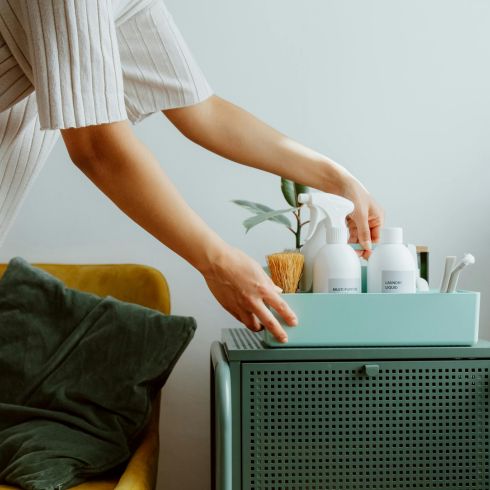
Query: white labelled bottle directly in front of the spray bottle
337	268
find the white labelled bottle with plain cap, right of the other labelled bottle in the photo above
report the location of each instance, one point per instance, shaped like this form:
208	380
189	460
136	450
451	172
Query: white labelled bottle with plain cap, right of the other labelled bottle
391	268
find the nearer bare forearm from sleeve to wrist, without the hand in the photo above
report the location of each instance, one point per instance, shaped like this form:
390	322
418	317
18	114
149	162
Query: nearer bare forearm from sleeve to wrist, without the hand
128	173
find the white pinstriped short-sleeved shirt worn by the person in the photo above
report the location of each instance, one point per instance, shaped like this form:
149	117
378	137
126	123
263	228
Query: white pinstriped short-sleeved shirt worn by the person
76	56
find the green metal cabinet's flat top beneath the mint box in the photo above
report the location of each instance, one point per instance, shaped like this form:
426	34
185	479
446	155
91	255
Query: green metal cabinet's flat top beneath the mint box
242	345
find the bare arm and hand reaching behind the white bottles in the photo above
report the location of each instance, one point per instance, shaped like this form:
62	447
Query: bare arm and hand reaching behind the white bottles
233	133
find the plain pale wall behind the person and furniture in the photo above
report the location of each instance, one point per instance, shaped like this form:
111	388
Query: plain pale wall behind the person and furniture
397	91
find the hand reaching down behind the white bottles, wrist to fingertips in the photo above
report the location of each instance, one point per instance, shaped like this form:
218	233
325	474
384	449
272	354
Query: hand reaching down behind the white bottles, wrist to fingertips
366	219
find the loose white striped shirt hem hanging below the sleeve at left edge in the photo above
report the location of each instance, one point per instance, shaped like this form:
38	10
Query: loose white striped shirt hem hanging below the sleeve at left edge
24	149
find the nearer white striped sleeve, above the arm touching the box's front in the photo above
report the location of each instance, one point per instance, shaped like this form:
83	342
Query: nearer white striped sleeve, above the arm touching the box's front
75	60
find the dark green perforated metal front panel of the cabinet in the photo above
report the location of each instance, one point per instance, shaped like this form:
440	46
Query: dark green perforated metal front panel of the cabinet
345	426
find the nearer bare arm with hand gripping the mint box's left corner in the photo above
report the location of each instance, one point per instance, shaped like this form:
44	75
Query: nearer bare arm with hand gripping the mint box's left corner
128	173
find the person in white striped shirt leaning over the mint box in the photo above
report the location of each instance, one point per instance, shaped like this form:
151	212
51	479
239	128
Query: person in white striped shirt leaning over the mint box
88	68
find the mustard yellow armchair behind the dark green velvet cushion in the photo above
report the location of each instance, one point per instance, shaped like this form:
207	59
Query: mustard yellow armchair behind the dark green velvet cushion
137	284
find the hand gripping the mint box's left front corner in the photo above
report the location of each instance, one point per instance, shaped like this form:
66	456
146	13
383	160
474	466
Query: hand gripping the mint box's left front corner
243	288
